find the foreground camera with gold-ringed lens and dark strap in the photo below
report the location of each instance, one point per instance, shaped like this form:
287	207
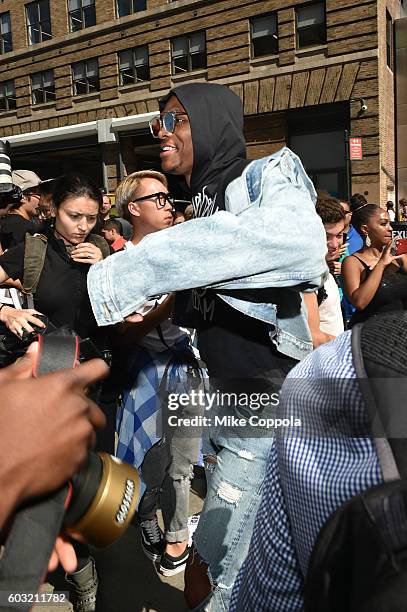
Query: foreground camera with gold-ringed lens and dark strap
96	506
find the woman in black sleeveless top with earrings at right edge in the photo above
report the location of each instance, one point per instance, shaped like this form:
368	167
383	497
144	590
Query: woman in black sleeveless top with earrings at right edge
375	281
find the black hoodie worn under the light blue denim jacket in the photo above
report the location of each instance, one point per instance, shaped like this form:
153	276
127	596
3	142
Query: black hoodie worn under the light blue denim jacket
232	344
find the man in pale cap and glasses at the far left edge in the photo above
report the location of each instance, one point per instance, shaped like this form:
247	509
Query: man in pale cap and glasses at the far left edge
21	218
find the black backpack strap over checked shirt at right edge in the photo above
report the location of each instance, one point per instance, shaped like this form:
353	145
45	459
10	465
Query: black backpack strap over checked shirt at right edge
379	349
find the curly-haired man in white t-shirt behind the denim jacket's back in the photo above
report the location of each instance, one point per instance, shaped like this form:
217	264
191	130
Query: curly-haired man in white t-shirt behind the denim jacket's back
324	307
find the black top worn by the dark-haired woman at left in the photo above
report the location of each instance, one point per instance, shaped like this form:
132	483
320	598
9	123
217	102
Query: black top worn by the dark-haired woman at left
62	291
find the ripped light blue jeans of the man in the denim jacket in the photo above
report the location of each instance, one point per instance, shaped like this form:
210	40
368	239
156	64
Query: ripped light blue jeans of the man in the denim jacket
235	470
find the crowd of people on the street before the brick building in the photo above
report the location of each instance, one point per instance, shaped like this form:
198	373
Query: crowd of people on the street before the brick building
259	280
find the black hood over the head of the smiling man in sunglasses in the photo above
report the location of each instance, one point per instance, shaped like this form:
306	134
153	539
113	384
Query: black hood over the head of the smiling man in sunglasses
216	117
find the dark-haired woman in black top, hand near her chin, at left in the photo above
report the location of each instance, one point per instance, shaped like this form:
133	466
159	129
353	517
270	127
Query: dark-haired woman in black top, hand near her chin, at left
61	292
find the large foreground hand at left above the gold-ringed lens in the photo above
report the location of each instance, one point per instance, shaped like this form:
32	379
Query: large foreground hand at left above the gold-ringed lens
46	427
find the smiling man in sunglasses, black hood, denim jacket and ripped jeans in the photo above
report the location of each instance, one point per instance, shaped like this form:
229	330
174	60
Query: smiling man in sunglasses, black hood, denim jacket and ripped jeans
254	245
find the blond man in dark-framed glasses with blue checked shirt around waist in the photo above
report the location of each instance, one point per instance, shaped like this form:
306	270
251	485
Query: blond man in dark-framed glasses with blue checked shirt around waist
160	359
